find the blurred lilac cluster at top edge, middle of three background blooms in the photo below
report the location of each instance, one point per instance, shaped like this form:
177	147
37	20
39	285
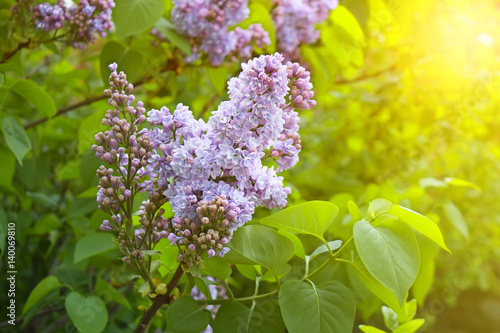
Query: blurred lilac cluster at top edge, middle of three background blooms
206	23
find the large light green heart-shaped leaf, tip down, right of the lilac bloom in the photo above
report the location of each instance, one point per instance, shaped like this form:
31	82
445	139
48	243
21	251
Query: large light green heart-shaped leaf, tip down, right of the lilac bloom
390	253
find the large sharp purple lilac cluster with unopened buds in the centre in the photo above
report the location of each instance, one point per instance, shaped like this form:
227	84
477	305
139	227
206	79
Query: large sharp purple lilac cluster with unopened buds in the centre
211	173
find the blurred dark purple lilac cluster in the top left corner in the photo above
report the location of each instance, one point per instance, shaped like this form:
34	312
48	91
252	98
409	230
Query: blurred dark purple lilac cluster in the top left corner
81	21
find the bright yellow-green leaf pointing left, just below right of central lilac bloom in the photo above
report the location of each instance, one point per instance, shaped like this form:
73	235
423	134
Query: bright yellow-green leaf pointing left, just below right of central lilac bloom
312	218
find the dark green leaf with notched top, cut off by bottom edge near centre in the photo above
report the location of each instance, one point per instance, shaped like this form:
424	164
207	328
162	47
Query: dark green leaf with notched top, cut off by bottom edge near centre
235	317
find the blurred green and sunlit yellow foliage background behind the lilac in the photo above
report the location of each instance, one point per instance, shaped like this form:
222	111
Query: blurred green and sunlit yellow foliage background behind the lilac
408	99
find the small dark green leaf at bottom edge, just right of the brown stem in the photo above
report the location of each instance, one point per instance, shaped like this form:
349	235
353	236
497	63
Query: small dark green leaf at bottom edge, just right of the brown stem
186	316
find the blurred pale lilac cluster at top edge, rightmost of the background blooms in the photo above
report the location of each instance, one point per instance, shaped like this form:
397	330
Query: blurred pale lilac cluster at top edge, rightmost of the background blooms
294	21
